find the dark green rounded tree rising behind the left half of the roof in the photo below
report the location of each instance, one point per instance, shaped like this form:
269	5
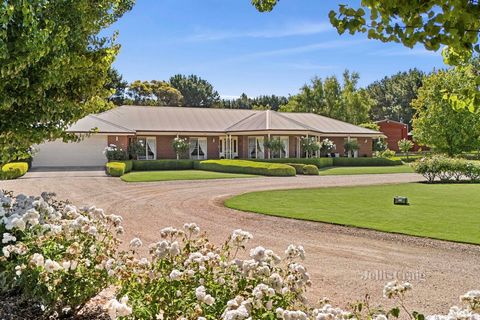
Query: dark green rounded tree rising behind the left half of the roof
196	91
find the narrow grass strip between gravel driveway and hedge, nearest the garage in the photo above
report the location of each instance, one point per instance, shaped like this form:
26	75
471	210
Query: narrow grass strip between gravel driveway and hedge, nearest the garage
168	175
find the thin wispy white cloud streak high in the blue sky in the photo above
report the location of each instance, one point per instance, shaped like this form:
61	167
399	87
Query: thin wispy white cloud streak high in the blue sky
287	30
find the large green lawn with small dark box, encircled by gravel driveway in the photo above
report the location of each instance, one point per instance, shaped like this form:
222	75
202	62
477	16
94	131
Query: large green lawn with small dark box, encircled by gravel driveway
442	211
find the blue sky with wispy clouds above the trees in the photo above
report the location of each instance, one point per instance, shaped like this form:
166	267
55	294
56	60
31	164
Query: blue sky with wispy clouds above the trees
238	49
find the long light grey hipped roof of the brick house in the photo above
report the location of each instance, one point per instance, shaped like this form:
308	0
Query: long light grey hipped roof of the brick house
131	119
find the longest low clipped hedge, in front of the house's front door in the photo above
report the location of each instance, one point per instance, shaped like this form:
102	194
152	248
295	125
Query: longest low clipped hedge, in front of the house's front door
247	167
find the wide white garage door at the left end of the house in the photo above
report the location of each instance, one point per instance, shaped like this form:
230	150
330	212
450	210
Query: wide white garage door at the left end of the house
88	152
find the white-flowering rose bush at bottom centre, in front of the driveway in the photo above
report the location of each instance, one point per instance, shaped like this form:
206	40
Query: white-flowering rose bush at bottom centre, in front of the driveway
187	276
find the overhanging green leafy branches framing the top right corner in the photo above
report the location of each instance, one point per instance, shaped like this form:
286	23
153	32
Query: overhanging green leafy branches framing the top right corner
453	24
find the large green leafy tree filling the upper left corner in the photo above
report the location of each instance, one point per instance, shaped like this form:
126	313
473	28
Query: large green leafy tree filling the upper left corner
54	65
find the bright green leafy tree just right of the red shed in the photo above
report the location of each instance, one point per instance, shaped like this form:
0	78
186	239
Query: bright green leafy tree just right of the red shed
436	124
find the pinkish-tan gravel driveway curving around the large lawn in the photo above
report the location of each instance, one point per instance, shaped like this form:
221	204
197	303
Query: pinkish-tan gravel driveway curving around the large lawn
345	263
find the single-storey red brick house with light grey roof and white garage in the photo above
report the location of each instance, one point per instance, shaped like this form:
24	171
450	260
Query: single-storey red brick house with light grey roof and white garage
212	134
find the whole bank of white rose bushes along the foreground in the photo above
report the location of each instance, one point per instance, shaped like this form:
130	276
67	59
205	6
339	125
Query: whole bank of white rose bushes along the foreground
61	256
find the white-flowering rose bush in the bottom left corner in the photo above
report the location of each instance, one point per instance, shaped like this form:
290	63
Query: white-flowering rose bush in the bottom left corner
54	252
